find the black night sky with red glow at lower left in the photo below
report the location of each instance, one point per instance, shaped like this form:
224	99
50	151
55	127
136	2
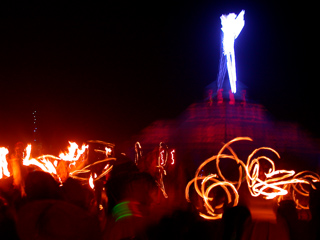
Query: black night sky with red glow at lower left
105	71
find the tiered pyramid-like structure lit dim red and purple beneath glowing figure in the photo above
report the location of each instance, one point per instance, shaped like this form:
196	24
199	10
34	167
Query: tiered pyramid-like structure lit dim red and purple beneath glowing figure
200	131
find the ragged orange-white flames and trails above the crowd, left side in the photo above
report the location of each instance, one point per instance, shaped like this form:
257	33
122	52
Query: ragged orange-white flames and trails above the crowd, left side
72	163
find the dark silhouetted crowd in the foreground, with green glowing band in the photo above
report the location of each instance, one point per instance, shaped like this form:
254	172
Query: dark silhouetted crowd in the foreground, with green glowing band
128	204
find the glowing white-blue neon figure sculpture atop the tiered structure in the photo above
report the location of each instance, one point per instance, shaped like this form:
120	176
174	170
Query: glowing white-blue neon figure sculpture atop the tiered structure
231	28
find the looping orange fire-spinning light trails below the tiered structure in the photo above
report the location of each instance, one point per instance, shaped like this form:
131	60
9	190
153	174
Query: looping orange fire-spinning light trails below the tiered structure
273	184
